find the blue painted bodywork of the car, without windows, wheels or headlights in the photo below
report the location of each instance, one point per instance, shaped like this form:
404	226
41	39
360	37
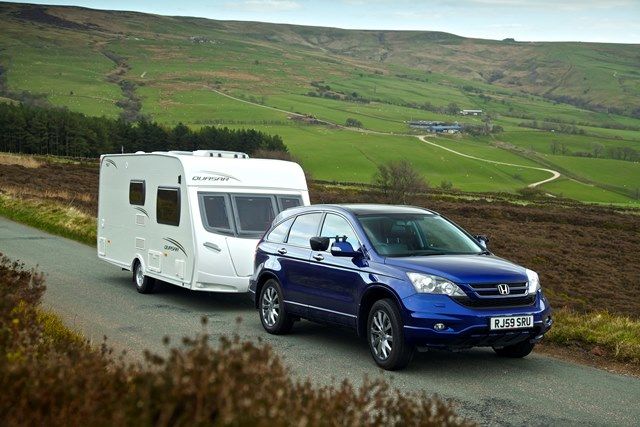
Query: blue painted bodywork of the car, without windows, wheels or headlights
332	289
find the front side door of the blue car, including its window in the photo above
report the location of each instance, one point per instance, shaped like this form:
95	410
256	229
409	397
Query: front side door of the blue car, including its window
333	282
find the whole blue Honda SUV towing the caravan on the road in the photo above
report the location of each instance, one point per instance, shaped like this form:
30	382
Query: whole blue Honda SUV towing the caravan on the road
405	278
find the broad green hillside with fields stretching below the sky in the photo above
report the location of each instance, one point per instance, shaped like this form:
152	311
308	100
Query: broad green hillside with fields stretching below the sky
240	74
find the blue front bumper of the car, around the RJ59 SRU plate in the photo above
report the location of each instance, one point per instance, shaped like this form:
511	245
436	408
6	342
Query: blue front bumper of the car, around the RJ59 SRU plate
466	327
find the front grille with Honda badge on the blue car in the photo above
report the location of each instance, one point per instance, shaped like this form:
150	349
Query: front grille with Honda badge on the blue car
487	295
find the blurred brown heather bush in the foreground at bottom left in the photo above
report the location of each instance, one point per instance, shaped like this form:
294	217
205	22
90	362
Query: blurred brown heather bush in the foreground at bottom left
50	377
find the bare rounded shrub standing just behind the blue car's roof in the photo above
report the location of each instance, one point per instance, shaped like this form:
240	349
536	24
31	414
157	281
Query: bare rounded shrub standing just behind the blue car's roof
398	180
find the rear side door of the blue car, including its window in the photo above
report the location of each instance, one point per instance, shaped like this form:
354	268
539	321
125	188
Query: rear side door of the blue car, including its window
293	256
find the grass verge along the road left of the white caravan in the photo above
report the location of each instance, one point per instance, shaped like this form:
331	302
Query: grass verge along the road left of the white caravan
55	218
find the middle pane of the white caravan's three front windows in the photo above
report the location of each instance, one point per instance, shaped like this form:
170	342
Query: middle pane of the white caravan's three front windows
254	214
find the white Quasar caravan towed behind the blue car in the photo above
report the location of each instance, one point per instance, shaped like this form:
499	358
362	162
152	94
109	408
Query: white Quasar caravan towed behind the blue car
192	219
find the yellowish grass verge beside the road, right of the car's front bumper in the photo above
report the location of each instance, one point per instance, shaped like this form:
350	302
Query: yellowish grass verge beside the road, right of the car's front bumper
602	334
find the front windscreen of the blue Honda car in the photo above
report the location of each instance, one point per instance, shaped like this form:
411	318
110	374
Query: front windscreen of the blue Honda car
401	235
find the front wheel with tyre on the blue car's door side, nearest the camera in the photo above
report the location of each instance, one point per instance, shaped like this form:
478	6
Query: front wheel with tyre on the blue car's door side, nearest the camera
385	336
